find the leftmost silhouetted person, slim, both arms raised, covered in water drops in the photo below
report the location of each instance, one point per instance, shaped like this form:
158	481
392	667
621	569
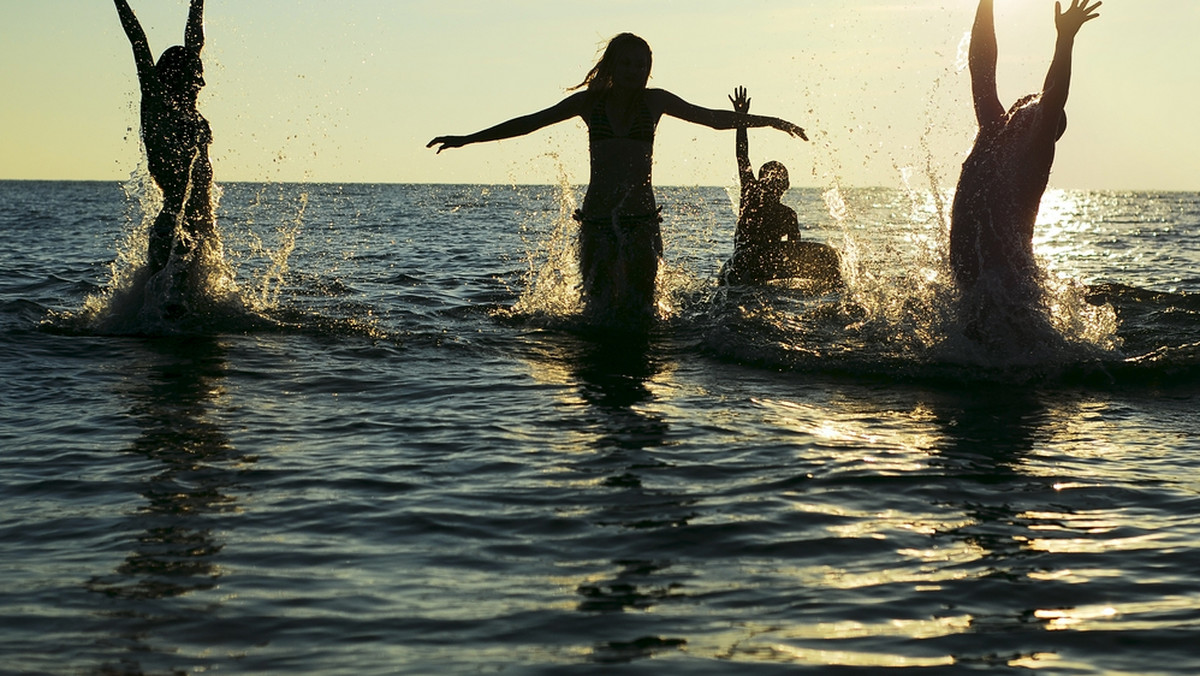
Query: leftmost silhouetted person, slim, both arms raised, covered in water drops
177	140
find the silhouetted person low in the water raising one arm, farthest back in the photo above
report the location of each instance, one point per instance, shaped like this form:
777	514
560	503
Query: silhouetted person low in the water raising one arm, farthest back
767	242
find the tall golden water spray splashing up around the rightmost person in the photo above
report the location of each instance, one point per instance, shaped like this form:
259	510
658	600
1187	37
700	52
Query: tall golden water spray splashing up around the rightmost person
914	310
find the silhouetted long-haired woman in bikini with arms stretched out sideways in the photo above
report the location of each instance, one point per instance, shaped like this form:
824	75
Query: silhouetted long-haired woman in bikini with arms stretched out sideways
620	237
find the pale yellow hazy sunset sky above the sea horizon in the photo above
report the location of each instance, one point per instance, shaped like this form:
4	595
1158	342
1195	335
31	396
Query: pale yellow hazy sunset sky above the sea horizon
313	91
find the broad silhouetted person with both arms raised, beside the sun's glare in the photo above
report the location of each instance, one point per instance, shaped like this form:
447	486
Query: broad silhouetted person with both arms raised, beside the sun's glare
1004	178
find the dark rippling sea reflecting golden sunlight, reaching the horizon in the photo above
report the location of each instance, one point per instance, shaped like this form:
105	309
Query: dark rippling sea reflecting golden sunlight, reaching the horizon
387	444
